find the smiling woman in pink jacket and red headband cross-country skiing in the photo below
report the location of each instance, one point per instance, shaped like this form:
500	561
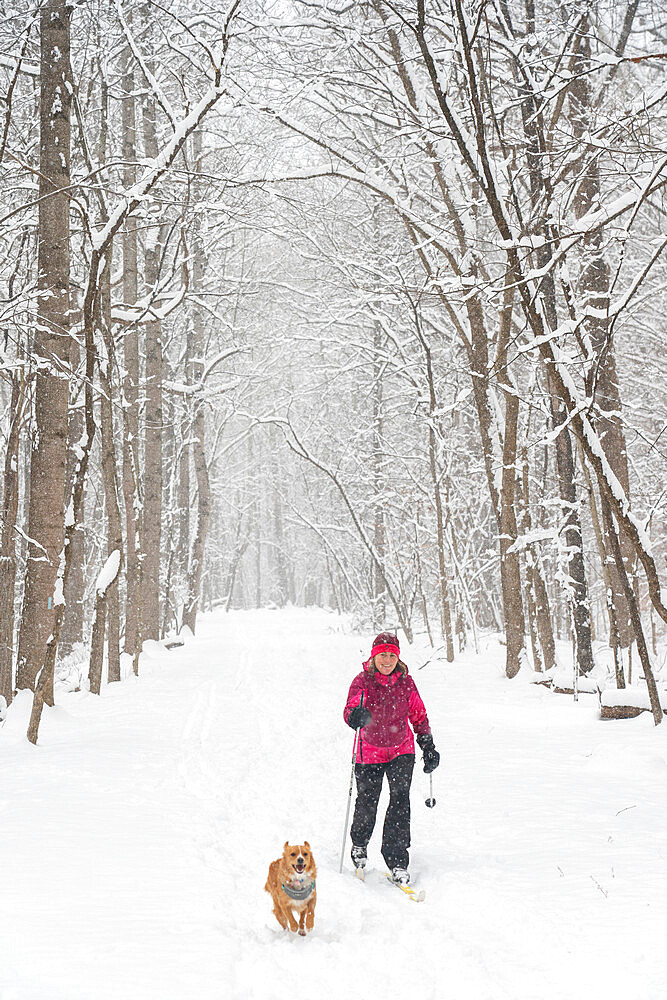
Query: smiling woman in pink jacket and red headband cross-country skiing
381	702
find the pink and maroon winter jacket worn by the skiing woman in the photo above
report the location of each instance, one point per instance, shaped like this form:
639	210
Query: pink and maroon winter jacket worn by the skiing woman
393	701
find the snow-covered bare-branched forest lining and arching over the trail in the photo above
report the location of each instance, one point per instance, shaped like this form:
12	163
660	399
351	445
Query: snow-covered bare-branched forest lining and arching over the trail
357	305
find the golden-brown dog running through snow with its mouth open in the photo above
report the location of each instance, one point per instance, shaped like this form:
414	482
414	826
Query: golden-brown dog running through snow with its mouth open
291	882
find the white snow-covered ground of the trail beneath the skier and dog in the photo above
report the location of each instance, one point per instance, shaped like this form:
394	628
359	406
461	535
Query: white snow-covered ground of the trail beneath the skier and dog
137	835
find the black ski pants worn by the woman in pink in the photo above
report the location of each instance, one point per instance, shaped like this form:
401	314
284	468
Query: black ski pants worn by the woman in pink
396	831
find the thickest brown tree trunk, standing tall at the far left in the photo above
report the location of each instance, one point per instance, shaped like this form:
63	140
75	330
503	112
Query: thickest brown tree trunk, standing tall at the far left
49	449
